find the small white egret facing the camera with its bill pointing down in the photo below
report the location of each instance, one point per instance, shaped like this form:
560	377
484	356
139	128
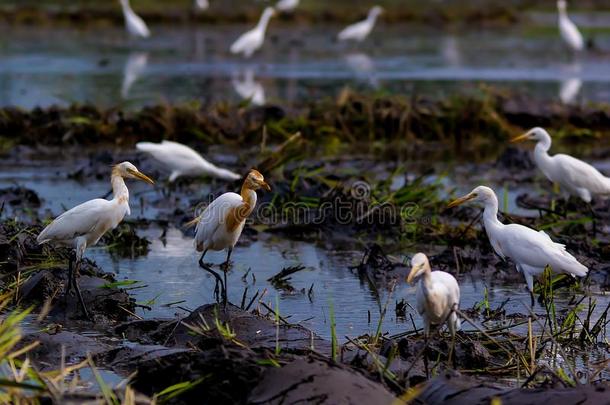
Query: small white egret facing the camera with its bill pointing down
438	294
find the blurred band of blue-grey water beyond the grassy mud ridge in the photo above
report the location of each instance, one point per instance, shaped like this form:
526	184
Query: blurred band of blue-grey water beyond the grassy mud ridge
60	66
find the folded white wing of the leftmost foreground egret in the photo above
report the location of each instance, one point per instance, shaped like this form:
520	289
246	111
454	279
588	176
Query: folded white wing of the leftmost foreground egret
92	218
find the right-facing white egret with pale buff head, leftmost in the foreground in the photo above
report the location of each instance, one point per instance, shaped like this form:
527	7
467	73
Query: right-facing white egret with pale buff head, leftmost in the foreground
85	224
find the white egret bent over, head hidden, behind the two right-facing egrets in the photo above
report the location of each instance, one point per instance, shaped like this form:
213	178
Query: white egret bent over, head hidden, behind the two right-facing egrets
184	161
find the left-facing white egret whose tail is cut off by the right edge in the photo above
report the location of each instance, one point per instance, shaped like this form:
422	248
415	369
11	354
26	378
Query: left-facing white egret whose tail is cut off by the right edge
576	177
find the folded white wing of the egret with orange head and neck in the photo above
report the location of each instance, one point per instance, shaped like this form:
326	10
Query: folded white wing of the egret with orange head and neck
213	217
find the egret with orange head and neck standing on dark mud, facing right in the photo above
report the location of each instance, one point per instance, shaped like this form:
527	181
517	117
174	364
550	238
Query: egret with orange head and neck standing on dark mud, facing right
221	223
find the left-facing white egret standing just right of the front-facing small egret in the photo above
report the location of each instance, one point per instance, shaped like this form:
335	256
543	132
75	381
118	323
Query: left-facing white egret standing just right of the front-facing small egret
531	251
